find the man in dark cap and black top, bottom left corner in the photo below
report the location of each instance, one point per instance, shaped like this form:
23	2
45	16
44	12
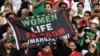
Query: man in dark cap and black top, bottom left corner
8	49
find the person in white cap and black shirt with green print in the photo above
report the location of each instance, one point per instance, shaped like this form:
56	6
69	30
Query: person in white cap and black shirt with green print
89	35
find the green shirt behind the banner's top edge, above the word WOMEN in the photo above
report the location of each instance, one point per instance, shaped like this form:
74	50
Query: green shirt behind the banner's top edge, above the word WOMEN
39	9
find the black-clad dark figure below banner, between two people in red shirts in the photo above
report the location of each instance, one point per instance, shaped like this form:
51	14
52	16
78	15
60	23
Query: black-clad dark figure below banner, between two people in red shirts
61	49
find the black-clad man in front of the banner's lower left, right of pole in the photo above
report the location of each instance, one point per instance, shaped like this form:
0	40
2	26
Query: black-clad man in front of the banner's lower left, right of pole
25	50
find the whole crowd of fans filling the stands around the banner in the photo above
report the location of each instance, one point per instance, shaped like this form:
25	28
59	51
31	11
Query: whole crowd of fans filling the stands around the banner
84	16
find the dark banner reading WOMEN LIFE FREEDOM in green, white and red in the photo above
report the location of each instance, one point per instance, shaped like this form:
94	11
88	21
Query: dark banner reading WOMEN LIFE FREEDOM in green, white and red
43	28
